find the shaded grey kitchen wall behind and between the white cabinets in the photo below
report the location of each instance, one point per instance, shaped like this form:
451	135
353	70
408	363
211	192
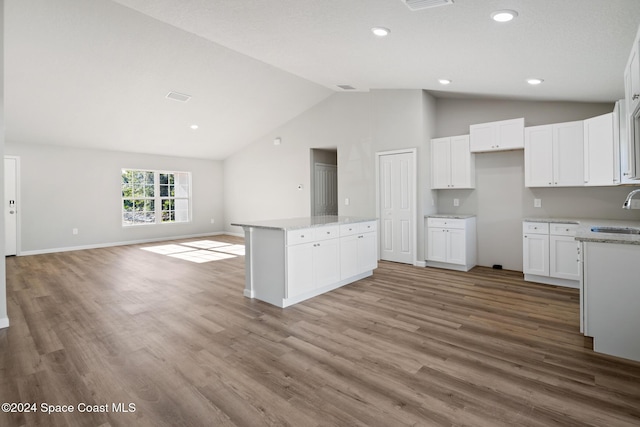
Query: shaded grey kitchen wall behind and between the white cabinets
500	199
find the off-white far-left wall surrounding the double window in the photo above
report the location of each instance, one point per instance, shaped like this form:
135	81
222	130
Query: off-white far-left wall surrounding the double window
65	188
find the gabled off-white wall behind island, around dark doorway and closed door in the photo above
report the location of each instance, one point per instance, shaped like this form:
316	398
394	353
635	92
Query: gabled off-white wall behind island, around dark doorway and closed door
261	180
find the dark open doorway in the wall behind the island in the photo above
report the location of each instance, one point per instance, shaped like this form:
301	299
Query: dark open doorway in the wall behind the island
324	182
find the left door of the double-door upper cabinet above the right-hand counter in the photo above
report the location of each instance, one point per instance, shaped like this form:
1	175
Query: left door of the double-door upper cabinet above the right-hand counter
538	156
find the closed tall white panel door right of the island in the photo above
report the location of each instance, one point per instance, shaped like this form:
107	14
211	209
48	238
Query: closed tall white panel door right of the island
397	199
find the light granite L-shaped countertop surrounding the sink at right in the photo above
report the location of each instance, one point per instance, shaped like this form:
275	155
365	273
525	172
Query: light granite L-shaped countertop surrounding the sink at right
584	233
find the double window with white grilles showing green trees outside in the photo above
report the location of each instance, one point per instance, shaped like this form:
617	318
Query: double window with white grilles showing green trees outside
154	197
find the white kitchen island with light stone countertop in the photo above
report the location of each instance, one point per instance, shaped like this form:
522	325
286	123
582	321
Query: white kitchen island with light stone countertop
291	260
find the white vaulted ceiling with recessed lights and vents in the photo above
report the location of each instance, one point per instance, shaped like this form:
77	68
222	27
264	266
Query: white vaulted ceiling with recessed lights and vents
95	74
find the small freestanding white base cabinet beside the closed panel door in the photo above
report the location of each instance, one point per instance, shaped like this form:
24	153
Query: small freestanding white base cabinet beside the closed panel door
451	243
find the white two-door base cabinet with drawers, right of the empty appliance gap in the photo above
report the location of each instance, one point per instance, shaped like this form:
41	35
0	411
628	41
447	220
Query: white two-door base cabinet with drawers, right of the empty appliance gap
550	253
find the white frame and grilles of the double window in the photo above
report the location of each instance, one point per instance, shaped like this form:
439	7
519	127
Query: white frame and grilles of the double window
157	199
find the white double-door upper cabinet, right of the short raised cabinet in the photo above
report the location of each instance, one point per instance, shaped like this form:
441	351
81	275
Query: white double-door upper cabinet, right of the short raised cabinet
554	155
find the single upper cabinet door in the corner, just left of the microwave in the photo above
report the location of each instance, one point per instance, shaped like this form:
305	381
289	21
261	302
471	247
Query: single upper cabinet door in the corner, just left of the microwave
598	150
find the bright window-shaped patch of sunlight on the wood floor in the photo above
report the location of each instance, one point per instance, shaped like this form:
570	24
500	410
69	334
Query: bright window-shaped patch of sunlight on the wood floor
199	251
